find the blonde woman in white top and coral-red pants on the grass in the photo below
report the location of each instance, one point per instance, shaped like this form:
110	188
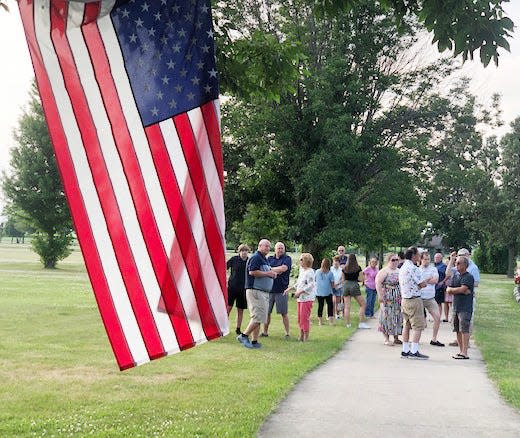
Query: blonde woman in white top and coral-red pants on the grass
305	293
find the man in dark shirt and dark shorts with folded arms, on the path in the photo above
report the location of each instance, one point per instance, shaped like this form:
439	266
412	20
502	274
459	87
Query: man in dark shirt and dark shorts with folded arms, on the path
462	288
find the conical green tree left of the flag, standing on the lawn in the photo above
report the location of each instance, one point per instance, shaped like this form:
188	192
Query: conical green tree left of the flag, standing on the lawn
33	189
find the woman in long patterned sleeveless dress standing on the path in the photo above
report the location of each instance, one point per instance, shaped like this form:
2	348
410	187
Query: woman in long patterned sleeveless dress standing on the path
389	294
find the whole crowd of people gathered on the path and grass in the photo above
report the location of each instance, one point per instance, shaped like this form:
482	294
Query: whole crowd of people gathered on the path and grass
407	287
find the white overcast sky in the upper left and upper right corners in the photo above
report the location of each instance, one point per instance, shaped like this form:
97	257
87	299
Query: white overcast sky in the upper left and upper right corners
16	75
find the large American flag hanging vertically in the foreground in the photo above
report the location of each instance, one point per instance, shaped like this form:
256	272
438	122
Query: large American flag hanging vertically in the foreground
130	93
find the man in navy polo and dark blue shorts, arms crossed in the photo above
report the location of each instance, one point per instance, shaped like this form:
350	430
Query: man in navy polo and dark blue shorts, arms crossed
280	263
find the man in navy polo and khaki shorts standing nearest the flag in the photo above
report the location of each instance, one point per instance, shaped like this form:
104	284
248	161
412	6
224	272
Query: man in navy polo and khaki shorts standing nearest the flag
259	282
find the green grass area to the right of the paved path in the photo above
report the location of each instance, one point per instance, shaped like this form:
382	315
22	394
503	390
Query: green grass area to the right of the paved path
498	334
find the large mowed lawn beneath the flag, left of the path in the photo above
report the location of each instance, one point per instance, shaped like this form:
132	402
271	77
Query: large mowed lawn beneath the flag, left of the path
58	376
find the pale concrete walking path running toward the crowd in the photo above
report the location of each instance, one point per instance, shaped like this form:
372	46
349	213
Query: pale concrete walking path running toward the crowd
367	390
